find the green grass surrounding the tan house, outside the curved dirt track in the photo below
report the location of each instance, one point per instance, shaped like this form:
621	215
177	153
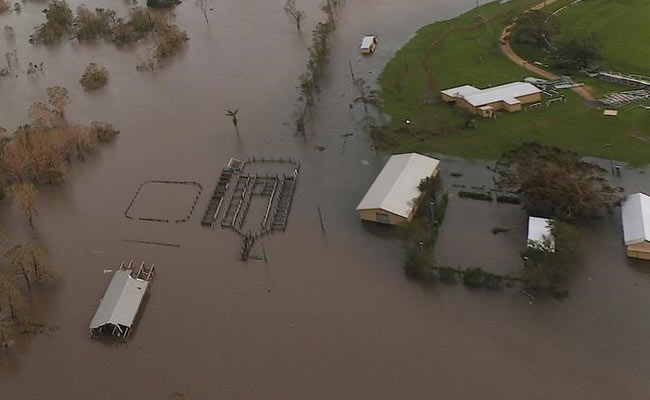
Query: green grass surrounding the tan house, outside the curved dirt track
464	50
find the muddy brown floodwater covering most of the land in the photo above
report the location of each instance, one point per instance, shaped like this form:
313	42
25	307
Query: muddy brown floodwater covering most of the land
331	315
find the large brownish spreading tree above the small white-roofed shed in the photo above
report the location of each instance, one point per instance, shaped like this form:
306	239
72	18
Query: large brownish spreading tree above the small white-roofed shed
557	182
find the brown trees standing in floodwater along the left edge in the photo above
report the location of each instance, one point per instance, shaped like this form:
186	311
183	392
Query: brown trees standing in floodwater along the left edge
37	153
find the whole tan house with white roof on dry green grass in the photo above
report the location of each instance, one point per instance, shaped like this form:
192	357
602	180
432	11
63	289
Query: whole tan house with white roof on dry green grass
485	102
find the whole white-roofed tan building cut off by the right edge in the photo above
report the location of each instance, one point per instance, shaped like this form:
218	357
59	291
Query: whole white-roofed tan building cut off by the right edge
636	225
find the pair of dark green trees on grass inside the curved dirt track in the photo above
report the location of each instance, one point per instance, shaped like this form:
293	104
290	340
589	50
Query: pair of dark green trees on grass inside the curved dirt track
538	29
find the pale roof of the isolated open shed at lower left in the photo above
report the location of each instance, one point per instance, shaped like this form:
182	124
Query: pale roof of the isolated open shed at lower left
121	301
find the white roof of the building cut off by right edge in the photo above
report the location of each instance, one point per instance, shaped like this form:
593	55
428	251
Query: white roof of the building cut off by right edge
636	219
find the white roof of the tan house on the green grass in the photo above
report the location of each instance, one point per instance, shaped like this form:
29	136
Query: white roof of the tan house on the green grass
480	97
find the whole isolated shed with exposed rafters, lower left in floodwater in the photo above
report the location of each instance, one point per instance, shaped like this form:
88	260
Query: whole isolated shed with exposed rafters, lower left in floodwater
121	302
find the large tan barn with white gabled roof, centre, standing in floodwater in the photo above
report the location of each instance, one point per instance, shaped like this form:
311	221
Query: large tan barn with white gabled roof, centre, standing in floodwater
391	198
